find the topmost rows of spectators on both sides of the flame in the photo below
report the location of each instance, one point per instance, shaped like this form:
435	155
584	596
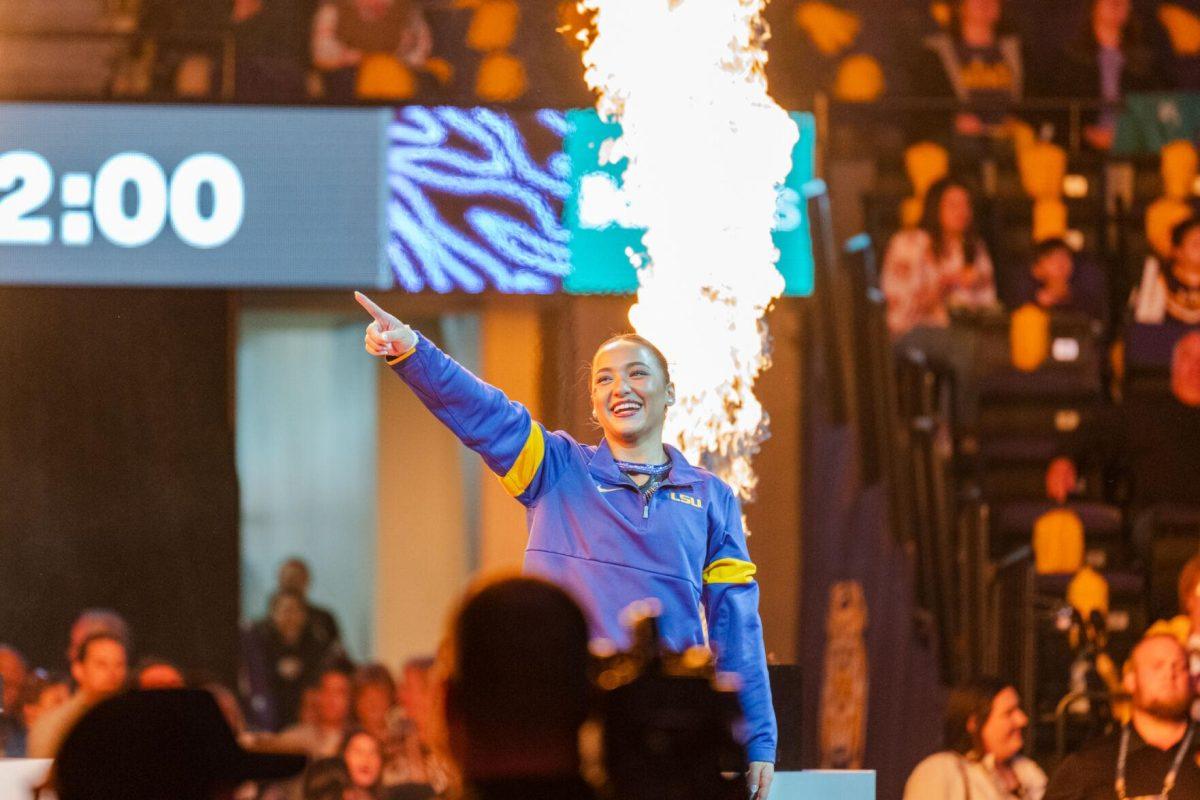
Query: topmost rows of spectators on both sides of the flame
982	59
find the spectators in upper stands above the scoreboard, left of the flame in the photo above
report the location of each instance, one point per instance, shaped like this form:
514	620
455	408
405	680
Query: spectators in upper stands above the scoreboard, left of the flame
328	51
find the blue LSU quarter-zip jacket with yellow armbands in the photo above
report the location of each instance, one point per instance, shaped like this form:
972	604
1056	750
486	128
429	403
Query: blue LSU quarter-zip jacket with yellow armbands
592	533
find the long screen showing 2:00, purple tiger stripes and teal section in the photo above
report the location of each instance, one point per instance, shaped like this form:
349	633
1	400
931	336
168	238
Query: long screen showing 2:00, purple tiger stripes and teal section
436	200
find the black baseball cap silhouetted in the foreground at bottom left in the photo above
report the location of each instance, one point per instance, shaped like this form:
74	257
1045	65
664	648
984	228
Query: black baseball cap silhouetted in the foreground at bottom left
160	744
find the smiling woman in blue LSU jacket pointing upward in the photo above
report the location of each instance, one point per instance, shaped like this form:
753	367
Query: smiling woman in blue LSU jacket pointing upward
617	522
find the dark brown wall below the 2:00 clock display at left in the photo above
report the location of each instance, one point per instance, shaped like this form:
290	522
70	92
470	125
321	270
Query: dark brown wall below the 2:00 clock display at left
117	471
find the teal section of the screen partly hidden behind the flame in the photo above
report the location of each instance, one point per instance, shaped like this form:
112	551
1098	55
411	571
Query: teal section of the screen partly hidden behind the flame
601	236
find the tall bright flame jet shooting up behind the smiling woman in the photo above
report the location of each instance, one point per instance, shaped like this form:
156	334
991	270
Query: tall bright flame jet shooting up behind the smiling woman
706	149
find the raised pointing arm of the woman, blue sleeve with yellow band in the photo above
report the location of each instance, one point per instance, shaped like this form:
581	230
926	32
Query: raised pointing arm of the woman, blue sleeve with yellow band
513	446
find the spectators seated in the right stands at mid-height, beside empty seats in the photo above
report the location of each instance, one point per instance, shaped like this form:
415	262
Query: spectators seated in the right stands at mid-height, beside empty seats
938	280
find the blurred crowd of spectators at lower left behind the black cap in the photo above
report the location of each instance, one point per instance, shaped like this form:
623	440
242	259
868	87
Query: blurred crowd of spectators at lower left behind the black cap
298	693
